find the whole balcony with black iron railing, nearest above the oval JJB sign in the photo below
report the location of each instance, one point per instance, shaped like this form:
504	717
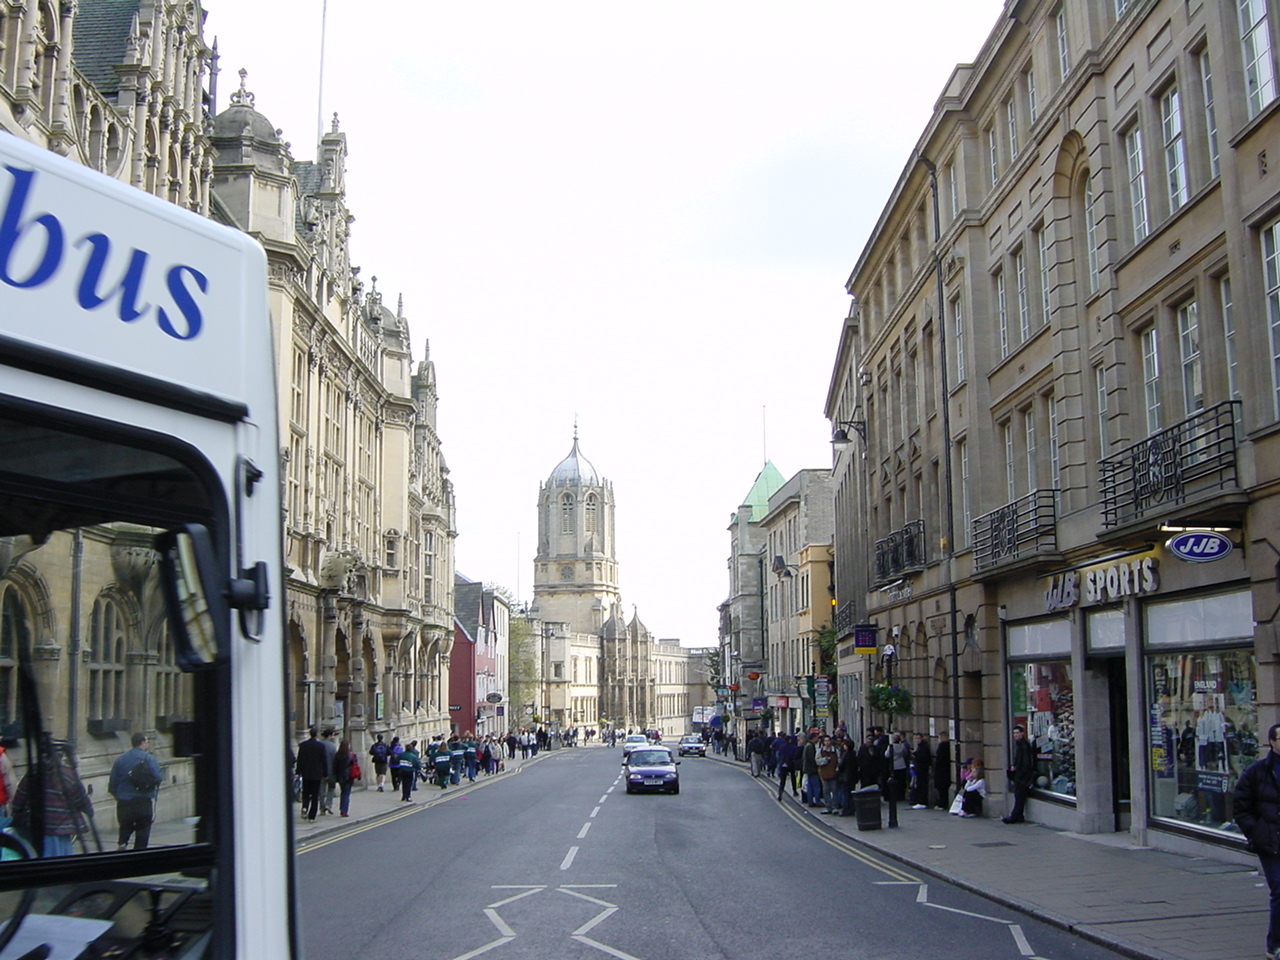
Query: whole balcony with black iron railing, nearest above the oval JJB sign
1187	473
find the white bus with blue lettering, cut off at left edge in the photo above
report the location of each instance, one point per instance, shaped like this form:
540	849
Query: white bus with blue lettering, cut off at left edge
140	579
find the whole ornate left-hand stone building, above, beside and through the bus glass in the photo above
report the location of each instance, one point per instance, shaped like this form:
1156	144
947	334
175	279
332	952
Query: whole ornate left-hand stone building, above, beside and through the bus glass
129	88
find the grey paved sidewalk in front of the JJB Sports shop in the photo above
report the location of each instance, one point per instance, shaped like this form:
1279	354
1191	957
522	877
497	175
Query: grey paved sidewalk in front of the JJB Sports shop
1145	903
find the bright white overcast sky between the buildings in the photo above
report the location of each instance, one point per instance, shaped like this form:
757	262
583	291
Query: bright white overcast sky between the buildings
639	216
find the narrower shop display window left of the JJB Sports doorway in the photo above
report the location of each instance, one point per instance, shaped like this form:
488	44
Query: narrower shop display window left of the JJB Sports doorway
1045	703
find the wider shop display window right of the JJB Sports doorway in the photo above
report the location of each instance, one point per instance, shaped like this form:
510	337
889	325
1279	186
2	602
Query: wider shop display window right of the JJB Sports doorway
1204	733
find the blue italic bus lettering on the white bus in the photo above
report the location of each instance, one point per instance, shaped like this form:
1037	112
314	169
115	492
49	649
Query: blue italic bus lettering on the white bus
89	294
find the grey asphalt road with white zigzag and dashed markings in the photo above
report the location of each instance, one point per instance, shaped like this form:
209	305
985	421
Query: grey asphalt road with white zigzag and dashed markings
559	863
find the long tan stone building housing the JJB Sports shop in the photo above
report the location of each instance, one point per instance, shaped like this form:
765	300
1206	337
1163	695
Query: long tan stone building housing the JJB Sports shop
1060	355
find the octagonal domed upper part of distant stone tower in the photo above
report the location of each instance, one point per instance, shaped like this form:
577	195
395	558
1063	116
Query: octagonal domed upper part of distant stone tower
577	569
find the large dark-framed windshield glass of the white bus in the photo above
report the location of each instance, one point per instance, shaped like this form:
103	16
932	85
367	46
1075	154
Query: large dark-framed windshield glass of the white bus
98	721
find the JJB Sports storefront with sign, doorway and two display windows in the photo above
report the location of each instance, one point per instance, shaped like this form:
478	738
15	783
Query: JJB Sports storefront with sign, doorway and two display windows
1137	682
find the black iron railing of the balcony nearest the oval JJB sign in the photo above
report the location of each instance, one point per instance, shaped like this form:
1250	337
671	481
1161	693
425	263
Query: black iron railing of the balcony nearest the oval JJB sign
1181	464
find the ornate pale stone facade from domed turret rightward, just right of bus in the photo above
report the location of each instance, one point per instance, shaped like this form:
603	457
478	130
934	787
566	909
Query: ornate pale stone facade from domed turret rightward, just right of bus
369	506
